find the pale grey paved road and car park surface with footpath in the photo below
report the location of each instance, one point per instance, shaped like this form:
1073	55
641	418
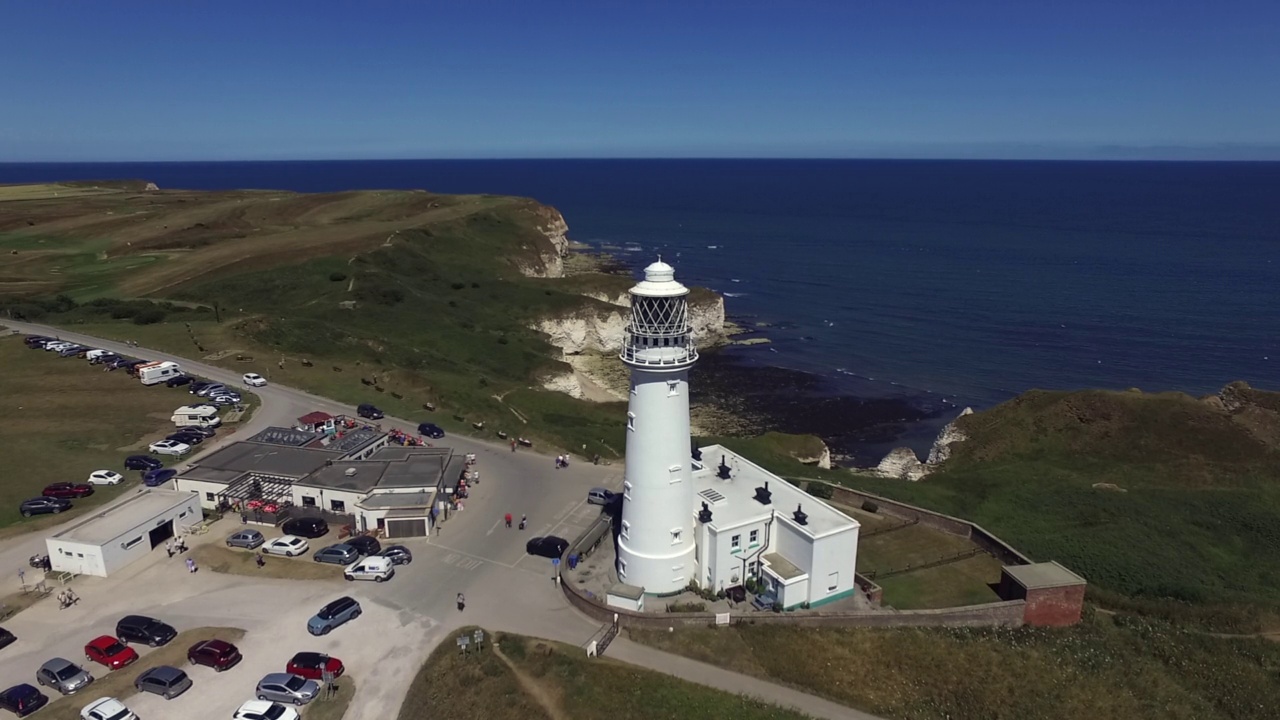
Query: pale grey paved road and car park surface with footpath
474	554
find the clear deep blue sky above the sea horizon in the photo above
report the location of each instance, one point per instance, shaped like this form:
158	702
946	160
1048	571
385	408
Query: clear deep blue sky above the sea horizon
321	80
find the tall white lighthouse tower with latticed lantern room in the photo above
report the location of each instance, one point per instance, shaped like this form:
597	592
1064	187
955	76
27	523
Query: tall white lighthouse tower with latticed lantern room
656	546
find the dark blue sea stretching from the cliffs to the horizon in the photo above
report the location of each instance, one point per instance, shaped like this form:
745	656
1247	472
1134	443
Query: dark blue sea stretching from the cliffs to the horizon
938	284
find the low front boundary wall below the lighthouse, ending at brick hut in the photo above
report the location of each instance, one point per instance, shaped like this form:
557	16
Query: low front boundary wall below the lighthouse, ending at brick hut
1008	614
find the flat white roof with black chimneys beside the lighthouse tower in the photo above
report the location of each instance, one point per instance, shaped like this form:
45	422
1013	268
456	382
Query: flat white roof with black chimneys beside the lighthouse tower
733	503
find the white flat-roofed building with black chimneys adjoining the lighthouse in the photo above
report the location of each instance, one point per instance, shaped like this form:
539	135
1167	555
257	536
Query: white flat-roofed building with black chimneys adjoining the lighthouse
799	559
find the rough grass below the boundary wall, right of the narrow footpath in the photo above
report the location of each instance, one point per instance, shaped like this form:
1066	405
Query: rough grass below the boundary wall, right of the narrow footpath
1135	671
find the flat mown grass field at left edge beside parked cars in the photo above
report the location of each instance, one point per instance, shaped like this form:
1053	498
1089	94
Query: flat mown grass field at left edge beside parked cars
65	420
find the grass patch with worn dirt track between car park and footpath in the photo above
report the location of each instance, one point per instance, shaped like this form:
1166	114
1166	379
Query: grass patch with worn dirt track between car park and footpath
529	680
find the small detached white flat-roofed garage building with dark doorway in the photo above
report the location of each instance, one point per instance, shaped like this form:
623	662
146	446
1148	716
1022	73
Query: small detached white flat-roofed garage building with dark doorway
124	534
